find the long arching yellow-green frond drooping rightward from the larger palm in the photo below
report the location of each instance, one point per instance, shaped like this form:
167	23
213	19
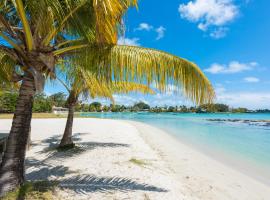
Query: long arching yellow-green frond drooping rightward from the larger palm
148	66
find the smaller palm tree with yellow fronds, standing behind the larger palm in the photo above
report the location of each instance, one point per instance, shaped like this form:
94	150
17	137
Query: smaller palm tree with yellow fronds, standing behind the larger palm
78	81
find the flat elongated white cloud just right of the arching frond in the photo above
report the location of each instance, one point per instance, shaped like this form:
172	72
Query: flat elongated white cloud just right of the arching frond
231	68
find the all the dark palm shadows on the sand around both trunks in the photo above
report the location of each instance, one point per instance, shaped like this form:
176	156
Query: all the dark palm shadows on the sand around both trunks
44	170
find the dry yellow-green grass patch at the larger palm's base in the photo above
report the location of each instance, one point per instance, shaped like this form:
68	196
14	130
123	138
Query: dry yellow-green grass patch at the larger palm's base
42	190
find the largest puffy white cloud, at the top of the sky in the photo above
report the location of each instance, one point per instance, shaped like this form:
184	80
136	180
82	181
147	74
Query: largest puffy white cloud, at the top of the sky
210	13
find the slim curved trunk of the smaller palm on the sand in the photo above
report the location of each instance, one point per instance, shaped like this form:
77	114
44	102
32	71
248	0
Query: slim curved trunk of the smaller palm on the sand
67	137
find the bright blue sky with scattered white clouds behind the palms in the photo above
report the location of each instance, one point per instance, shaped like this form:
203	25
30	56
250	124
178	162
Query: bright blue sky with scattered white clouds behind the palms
228	39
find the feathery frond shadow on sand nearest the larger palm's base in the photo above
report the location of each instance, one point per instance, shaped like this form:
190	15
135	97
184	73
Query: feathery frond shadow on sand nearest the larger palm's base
84	183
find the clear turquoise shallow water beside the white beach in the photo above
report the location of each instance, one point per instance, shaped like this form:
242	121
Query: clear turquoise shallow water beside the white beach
248	144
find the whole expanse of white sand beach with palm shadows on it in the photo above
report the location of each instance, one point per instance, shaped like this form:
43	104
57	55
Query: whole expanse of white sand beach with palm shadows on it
101	167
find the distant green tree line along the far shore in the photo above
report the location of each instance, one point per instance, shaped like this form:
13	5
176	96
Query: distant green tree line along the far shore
44	103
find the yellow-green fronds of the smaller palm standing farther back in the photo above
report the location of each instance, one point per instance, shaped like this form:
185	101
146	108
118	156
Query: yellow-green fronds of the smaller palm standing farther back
86	82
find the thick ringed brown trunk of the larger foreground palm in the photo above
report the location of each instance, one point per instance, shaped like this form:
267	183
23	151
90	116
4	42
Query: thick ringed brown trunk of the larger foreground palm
12	166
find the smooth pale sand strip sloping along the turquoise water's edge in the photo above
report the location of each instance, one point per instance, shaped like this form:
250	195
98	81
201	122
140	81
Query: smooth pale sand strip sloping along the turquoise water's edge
207	173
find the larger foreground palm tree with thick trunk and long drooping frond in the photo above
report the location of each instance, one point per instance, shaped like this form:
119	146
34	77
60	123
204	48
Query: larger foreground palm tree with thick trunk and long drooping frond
36	35
